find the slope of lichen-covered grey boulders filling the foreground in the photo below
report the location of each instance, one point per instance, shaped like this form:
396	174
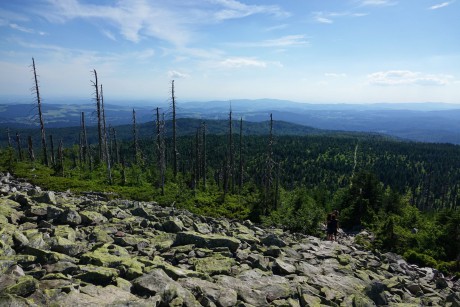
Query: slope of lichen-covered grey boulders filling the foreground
57	249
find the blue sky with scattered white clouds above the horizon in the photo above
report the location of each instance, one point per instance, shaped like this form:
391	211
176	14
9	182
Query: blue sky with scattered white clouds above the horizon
315	51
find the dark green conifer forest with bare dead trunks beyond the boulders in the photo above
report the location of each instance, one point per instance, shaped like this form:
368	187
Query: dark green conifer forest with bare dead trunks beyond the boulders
407	194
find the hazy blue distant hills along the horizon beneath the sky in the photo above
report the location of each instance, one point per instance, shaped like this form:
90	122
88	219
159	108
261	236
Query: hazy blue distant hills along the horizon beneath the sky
426	122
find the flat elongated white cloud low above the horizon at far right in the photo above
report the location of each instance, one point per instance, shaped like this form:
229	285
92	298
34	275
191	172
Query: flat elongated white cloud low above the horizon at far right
406	77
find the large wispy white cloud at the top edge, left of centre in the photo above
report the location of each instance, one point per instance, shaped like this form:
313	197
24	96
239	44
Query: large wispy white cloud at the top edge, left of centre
171	21
